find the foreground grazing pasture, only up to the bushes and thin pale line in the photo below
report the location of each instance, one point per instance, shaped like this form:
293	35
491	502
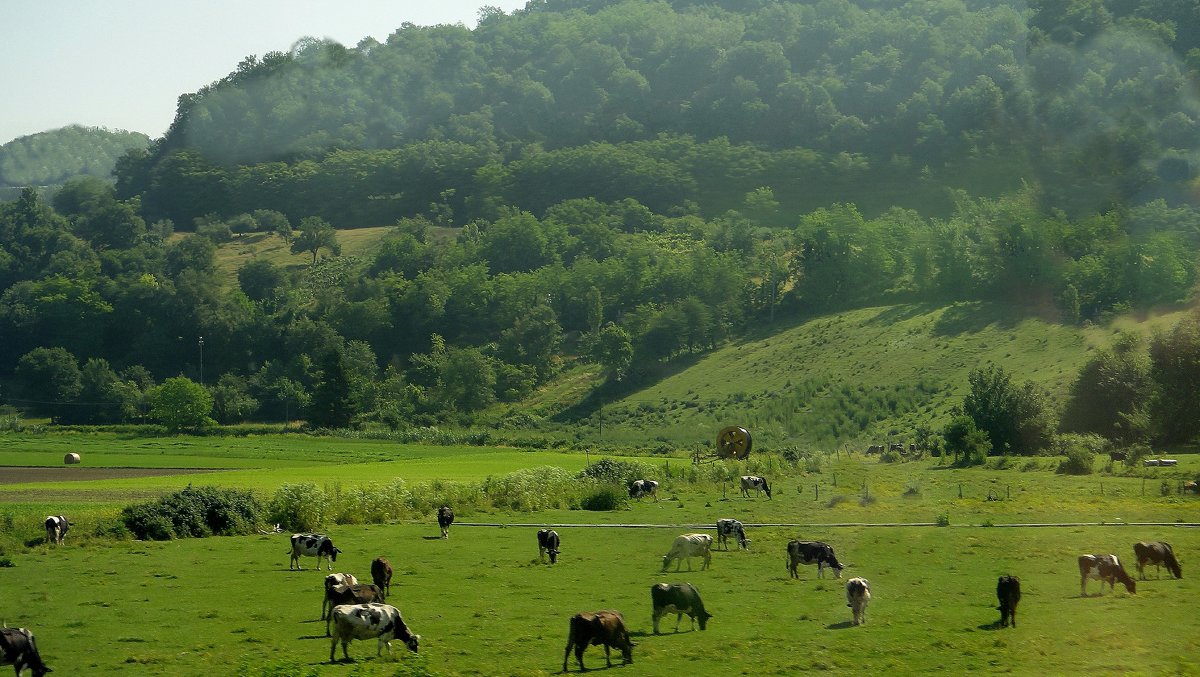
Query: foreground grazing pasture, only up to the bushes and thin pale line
484	606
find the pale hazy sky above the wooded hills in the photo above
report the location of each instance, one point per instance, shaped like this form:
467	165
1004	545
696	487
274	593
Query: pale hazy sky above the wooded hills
123	64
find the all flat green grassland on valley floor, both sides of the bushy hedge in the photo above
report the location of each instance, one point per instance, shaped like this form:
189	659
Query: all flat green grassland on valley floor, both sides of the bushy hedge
484	606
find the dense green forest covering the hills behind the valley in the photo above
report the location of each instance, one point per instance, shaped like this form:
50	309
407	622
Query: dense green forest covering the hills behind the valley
617	183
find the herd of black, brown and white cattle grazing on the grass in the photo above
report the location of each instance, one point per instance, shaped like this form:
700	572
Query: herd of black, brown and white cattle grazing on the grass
359	612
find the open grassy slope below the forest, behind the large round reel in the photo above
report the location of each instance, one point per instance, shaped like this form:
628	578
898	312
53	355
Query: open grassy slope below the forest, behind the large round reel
855	379
